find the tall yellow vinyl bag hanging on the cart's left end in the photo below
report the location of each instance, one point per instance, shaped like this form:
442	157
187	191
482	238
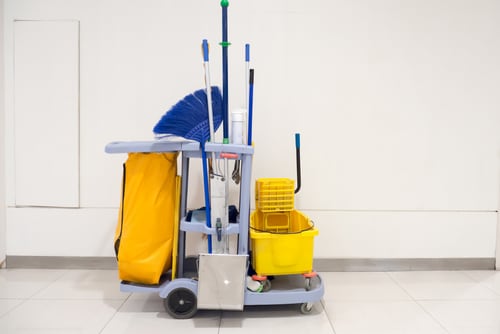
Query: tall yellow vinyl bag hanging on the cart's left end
145	231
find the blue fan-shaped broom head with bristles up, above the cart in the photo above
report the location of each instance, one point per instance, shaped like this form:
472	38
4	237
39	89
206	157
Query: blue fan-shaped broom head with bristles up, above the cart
188	118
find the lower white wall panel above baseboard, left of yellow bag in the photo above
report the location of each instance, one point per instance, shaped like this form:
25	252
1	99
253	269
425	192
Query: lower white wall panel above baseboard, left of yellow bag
61	231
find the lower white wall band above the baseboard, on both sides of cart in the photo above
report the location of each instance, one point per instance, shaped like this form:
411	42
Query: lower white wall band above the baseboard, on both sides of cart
90	232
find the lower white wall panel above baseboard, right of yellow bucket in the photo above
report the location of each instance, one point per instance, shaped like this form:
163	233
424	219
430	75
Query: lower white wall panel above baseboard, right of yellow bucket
410	234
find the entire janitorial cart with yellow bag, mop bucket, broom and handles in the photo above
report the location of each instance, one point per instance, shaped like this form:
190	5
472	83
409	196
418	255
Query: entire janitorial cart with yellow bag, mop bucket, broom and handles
272	261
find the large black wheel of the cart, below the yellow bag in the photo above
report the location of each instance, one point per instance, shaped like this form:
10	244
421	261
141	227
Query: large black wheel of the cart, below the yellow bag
181	303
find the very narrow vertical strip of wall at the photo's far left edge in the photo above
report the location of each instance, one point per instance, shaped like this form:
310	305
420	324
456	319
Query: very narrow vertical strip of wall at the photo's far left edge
2	144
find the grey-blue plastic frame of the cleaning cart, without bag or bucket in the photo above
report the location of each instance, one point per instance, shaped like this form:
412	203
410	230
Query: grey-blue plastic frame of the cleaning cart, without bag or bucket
305	296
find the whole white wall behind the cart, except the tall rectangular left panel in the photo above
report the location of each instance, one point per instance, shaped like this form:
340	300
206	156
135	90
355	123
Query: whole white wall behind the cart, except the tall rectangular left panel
396	102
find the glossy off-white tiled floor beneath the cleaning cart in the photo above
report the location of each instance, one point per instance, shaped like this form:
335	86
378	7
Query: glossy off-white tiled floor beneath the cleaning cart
89	301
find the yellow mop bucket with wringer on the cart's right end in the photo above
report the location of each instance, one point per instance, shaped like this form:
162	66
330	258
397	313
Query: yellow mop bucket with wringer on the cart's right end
282	238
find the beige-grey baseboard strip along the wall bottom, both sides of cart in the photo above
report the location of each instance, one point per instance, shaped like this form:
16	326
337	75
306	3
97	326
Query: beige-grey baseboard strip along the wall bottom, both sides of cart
320	265
